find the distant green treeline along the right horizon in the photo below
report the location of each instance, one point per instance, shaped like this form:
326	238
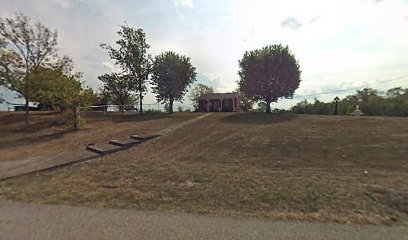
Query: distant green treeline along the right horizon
393	102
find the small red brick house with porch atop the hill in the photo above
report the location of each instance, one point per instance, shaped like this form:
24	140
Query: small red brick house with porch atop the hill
219	102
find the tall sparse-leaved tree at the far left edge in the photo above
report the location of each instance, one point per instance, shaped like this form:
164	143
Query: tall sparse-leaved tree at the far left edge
24	47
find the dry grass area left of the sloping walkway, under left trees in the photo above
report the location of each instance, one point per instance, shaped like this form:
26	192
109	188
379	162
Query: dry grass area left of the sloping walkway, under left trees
51	132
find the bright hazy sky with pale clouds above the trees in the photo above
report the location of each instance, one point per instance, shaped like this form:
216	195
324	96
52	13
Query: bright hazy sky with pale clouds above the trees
340	44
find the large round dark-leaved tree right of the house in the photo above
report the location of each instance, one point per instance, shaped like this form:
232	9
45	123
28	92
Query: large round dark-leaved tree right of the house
268	74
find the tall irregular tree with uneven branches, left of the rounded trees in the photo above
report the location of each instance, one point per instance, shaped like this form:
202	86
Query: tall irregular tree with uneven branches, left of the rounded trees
132	58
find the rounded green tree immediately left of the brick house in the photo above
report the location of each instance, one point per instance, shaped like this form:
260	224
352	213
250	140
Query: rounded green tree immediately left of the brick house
172	74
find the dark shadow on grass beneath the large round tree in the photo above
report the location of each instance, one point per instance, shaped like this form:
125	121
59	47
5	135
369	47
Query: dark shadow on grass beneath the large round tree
258	118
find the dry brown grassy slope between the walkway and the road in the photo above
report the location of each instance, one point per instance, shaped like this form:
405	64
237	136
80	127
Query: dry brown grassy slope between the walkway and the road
305	167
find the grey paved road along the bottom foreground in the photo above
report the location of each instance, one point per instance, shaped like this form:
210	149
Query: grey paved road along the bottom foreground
29	221
